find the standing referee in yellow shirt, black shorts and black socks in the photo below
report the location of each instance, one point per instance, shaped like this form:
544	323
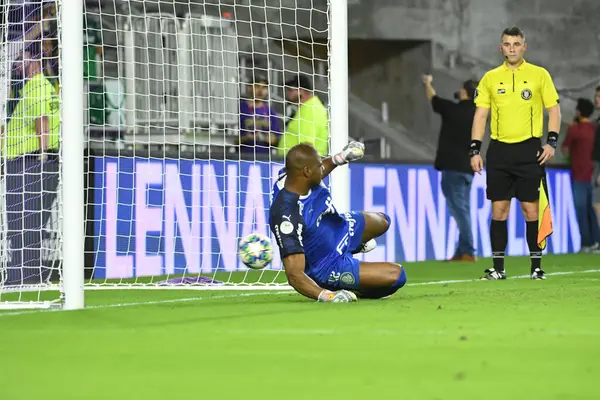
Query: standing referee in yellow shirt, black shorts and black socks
516	92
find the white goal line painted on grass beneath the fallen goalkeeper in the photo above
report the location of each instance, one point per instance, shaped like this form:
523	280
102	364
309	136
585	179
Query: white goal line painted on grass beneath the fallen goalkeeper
271	292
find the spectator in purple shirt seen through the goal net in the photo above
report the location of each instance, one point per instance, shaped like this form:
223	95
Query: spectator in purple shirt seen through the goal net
260	126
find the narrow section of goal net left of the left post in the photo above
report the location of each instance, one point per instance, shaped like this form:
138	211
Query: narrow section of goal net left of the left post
30	184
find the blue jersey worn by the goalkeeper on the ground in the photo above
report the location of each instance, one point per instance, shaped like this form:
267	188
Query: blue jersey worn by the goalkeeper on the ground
310	225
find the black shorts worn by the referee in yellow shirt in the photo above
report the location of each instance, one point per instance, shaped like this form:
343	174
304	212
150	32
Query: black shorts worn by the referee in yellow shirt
514	171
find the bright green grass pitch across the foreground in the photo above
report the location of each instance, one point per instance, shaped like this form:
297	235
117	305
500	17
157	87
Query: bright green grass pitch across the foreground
514	339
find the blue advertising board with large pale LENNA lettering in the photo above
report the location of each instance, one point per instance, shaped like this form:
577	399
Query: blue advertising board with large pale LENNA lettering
161	216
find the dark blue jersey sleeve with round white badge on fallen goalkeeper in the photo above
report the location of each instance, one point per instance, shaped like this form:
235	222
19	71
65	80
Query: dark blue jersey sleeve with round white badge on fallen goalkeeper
287	225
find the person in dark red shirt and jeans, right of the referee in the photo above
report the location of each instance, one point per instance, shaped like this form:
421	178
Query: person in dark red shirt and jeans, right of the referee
579	144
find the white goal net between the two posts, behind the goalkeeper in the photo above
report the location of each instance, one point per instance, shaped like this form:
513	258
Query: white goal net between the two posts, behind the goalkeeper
187	117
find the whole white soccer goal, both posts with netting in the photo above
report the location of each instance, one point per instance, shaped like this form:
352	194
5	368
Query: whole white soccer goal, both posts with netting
171	119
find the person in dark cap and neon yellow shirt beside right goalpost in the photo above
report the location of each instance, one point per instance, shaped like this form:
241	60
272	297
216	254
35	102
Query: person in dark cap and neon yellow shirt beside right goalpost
310	123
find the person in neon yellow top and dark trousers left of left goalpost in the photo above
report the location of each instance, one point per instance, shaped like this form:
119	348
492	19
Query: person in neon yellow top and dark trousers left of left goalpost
31	169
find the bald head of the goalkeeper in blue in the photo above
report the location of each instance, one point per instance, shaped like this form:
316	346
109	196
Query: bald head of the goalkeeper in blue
303	165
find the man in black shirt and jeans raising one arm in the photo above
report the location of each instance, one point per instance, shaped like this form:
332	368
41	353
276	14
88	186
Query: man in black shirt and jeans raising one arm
451	160
